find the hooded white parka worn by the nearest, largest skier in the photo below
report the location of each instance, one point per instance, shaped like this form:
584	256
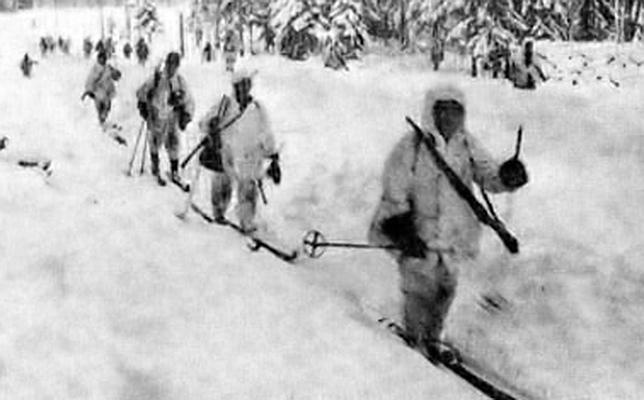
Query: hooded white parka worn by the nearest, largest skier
412	182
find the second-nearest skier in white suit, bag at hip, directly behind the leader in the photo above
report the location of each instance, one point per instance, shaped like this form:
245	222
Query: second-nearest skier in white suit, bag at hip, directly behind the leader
241	143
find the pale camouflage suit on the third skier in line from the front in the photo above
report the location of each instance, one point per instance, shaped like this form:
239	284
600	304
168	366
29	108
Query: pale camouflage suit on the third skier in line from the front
163	120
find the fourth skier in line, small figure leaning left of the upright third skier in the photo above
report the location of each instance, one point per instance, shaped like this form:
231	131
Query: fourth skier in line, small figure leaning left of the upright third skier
100	86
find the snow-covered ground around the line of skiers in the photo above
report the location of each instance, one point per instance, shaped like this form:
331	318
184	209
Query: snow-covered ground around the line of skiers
105	294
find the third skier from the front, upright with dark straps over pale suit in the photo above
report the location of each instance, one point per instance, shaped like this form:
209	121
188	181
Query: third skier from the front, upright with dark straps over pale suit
166	104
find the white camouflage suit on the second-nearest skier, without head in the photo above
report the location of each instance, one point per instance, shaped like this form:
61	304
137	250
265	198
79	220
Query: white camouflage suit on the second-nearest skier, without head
246	145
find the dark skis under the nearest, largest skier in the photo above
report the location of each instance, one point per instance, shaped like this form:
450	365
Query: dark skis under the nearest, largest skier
446	356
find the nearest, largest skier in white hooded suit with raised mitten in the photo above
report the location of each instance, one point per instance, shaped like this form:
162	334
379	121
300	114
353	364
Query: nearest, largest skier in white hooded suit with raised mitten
424	217
